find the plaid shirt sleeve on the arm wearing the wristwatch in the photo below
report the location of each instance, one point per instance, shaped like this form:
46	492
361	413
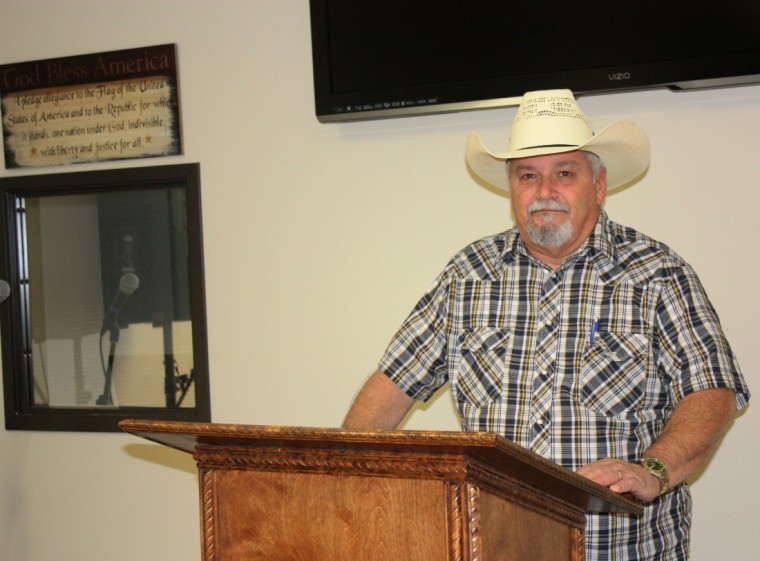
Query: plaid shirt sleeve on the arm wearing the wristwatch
697	355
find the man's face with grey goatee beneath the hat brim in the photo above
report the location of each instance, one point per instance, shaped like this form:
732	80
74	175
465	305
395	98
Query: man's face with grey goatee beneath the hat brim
556	202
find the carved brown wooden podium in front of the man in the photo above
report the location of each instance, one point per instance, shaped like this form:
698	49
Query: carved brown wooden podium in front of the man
309	494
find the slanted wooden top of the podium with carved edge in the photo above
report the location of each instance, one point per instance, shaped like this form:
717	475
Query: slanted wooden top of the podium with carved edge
484	452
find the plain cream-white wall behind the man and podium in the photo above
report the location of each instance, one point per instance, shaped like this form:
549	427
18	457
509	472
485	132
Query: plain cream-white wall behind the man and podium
319	239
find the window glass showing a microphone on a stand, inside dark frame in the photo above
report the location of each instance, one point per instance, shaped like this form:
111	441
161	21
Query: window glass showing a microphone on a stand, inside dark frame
109	302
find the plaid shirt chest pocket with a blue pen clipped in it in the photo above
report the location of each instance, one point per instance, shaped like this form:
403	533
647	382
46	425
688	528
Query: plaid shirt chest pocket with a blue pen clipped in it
613	373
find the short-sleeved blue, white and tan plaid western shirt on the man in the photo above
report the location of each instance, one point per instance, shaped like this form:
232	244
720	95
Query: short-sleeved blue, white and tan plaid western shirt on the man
577	364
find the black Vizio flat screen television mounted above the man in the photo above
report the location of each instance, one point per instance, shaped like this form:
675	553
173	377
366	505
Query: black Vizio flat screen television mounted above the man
393	58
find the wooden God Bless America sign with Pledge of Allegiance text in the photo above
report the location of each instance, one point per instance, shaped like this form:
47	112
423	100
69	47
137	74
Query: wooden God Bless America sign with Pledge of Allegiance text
91	108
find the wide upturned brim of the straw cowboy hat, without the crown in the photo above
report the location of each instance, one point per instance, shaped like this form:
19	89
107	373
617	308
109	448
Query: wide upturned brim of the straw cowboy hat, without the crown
623	148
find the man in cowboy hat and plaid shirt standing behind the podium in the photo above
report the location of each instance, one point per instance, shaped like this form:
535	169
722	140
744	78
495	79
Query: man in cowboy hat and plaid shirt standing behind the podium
580	339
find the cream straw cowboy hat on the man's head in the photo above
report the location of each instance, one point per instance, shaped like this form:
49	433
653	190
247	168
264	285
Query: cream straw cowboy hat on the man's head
550	122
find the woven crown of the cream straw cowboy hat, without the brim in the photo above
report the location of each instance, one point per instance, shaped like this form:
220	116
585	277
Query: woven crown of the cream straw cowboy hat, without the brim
549	118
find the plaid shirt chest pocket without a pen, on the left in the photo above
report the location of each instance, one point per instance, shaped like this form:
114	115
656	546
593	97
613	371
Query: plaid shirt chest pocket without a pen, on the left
481	369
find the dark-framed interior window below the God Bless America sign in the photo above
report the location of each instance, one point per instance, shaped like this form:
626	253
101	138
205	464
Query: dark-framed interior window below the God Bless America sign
103	315
